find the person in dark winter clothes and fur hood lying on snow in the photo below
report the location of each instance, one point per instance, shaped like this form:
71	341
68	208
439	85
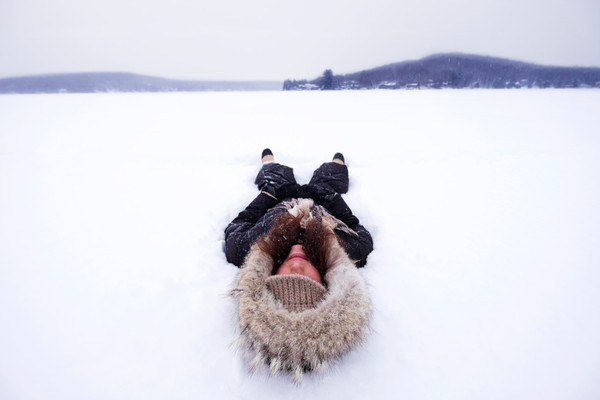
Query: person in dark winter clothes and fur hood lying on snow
301	302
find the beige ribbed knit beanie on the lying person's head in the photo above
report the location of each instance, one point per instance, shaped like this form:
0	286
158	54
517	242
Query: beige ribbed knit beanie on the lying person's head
296	292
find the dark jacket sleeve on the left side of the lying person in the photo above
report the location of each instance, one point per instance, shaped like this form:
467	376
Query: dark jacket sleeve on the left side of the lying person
240	233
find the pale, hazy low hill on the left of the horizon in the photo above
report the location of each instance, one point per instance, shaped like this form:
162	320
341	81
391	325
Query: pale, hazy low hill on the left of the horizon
121	82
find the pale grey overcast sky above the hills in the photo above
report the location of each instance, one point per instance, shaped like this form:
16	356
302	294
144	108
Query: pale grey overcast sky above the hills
280	39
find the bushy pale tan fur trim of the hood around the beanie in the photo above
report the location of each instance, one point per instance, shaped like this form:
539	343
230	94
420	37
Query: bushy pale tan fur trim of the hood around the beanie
298	342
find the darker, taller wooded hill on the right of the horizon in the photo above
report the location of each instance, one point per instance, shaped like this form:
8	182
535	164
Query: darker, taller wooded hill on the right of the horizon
455	70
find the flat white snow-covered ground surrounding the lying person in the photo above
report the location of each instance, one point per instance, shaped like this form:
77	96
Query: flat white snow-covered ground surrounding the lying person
482	205
